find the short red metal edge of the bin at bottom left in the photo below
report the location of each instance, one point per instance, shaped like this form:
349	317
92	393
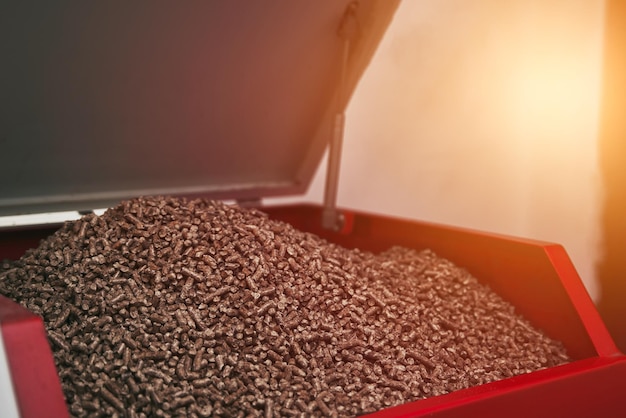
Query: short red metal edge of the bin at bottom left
34	376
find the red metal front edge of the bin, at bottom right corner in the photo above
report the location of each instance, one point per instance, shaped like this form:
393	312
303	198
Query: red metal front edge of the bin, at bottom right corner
585	388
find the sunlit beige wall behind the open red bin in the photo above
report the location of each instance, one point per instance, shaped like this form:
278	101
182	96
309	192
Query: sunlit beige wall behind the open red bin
483	114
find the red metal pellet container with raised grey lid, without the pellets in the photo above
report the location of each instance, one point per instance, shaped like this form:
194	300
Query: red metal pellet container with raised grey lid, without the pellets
108	102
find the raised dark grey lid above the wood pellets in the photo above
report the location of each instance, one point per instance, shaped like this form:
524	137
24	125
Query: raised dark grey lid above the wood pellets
103	101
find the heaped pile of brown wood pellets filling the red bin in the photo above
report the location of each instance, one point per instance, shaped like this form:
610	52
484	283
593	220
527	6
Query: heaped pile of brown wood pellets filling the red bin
169	307
